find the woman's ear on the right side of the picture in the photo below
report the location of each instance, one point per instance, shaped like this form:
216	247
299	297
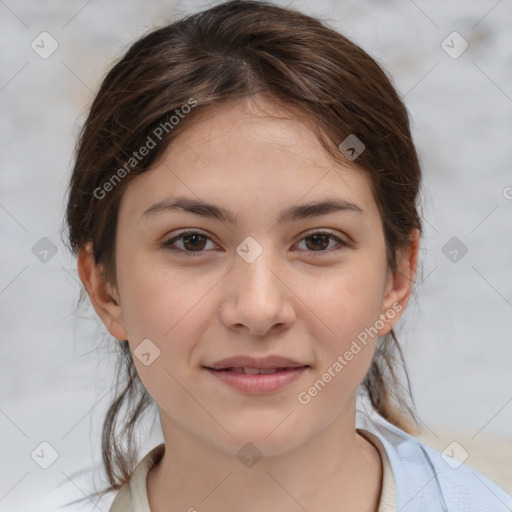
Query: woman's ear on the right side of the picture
399	284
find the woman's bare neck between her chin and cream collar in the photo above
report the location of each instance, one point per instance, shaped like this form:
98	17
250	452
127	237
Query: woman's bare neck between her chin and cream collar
336	469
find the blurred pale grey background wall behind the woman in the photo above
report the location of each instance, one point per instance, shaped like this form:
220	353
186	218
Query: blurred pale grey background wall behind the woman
55	381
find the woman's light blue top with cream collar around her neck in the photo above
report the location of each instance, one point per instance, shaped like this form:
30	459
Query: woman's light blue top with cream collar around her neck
415	476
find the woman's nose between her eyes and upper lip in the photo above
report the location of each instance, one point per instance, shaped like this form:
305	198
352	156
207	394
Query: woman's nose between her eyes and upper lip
257	299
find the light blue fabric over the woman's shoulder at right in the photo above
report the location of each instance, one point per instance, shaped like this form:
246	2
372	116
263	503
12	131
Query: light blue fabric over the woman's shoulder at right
428	480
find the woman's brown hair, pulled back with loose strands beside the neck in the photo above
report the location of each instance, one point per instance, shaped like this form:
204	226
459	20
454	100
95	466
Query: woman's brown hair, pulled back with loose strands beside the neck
232	51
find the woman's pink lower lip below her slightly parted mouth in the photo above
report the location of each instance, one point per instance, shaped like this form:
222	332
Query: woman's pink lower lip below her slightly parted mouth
259	383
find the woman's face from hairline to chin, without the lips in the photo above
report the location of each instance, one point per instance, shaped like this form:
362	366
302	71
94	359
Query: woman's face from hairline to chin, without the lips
194	289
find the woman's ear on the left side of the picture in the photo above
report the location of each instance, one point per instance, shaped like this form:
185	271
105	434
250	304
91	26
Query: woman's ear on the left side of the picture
103	297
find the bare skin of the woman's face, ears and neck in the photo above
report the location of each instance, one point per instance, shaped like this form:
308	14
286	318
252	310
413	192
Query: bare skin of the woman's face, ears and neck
256	159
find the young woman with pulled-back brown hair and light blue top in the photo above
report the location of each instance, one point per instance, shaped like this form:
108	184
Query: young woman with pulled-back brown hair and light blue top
244	211
